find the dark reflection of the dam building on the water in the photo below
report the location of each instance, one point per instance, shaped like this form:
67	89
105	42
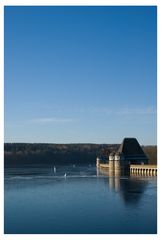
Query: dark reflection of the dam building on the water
130	188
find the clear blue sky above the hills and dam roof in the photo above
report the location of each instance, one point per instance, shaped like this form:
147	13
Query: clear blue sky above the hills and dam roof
80	74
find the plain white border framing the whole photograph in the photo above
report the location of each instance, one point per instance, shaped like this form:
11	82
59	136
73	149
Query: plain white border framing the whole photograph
76	3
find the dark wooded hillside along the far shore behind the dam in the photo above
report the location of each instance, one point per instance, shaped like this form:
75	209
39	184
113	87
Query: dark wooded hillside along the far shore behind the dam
27	153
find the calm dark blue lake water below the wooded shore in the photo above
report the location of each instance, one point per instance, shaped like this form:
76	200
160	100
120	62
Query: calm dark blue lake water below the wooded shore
40	199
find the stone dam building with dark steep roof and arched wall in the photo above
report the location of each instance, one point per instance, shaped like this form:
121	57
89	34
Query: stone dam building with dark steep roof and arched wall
129	159
